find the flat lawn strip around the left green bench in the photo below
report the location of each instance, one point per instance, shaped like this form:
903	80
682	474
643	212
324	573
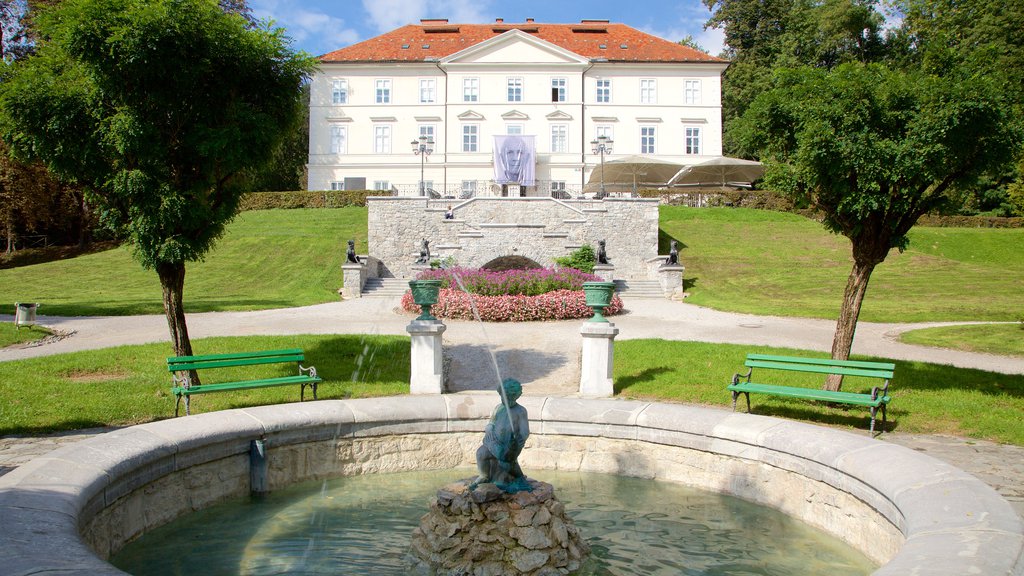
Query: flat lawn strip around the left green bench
131	385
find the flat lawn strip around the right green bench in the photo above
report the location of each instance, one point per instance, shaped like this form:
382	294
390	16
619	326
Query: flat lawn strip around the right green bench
927	398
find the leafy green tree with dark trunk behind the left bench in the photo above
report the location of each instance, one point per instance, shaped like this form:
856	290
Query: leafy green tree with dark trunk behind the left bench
158	106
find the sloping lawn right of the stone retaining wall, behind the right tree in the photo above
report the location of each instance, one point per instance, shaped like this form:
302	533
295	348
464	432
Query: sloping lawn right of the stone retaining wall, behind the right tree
777	264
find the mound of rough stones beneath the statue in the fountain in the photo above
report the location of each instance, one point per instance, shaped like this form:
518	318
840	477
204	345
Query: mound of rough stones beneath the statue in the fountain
488	532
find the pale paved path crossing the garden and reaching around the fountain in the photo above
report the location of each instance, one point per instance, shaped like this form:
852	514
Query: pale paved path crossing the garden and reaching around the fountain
545	356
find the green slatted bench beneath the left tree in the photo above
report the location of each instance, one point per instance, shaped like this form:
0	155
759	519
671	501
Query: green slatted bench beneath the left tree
182	387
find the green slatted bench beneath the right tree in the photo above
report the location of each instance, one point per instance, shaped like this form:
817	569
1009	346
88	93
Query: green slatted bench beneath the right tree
879	397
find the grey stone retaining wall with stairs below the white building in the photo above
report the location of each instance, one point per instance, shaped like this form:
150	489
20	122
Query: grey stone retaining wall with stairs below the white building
484	229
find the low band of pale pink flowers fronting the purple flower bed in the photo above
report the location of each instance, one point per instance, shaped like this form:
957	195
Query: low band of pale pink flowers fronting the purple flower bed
560	305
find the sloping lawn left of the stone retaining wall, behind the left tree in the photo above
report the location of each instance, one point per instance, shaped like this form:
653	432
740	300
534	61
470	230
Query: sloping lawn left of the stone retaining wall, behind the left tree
267	260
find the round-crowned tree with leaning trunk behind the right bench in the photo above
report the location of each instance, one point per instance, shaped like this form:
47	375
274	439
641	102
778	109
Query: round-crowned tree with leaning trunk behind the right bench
874	150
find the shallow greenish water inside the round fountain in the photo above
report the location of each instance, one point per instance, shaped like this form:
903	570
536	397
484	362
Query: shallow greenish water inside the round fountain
361	525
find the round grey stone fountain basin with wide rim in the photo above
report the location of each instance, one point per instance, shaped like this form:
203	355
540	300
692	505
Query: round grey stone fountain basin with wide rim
67	512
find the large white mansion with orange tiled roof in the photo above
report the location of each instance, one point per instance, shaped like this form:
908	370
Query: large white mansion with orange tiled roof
462	86
